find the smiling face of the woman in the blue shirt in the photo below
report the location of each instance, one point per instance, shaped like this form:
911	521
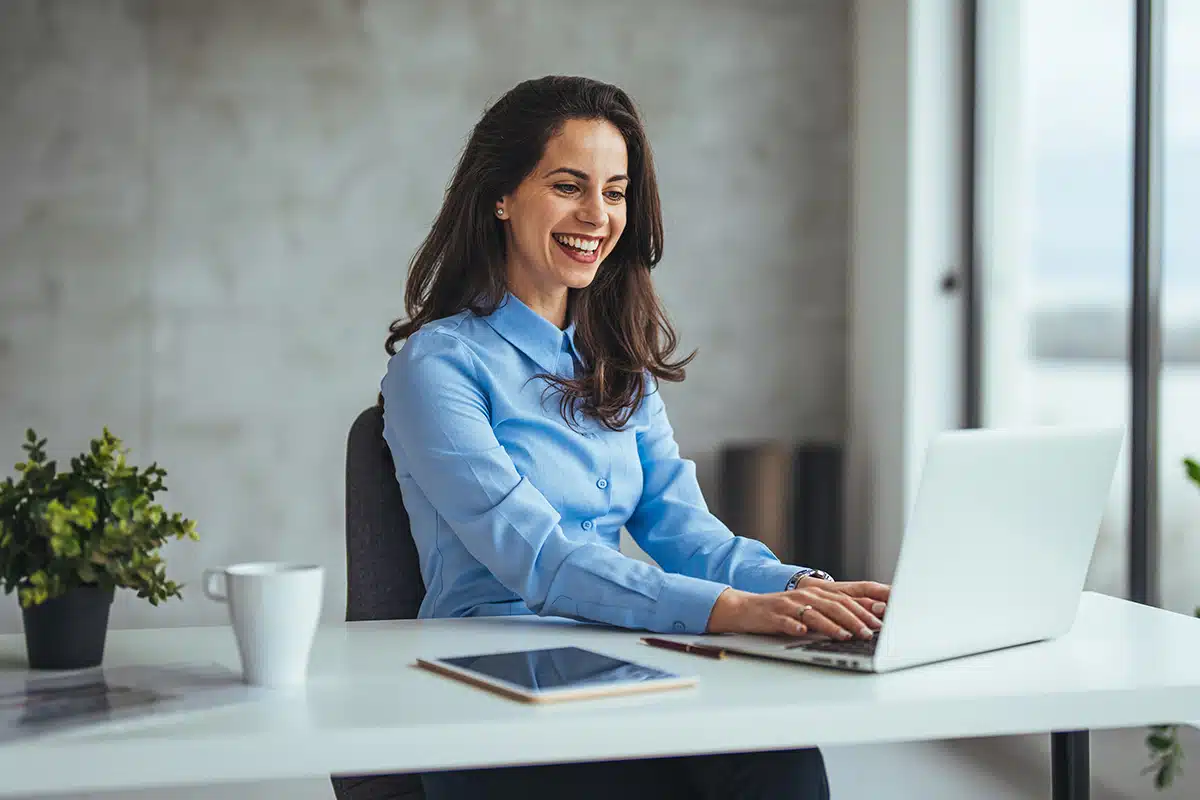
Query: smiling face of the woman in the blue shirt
567	216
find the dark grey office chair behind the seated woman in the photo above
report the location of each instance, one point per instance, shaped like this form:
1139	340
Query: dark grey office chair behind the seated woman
383	575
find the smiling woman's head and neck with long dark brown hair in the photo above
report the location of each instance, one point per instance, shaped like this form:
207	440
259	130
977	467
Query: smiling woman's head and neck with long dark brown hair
557	167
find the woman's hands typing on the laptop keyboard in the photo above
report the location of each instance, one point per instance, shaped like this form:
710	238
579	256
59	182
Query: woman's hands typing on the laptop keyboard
835	613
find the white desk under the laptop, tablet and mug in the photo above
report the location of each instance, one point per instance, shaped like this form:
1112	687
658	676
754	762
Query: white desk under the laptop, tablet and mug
368	709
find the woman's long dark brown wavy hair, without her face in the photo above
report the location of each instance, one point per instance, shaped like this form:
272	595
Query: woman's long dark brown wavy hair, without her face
622	330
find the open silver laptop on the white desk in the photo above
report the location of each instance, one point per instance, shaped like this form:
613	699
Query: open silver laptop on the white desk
995	554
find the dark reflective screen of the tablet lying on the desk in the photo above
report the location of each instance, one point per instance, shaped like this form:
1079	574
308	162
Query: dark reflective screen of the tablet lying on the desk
556	669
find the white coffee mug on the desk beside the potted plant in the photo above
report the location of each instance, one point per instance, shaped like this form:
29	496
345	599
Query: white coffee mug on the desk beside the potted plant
275	610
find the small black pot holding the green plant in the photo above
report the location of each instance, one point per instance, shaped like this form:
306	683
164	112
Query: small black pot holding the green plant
69	633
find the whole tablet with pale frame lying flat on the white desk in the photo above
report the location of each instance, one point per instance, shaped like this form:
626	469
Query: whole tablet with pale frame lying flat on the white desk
556	675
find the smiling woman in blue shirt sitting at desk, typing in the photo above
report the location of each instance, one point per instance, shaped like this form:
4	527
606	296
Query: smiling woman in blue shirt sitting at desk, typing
527	429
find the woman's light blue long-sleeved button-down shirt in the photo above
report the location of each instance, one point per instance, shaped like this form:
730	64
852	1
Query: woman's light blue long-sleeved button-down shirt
515	513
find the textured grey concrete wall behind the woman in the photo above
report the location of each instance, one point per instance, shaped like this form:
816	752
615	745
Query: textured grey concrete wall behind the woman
207	210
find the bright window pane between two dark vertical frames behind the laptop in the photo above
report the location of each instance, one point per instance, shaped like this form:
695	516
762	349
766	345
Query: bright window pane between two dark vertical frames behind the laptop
1054	194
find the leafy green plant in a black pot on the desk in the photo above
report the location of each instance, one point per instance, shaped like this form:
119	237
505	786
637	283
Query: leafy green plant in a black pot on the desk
69	540
